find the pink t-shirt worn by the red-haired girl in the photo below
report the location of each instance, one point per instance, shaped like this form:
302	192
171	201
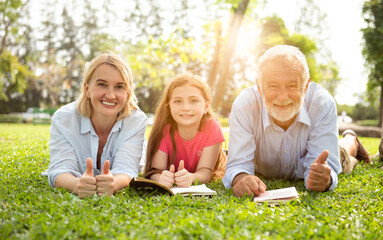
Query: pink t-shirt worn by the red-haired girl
190	151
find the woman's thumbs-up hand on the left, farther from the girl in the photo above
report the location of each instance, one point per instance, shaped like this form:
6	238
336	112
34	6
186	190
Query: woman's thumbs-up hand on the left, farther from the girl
87	183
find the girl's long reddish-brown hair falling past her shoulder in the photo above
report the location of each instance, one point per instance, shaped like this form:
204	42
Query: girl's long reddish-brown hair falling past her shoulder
163	117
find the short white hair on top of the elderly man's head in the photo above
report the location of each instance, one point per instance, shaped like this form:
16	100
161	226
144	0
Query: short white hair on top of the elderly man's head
287	54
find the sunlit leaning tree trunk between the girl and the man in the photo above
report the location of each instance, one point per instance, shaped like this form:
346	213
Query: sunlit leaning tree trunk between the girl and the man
224	68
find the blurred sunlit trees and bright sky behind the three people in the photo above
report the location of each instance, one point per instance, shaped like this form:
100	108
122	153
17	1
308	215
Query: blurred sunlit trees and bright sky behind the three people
46	44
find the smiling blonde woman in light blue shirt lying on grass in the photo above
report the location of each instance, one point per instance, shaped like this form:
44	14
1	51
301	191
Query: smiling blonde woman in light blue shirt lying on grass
96	142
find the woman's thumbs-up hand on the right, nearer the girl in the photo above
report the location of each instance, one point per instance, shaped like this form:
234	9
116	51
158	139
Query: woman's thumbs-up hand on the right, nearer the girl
106	183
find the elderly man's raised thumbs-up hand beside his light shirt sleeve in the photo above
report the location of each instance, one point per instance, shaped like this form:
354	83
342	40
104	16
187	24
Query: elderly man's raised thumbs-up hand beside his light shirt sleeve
319	178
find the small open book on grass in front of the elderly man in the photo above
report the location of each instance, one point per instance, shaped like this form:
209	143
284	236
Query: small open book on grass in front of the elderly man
277	196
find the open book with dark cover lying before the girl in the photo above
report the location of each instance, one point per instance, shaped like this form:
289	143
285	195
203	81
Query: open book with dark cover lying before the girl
194	190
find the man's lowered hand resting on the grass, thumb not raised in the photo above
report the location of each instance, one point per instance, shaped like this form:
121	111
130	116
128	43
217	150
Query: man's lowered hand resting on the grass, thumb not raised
245	184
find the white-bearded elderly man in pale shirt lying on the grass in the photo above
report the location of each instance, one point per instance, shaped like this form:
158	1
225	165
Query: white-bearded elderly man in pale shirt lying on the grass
284	127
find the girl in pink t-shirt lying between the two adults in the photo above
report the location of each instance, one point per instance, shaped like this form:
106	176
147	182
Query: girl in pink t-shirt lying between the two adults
185	142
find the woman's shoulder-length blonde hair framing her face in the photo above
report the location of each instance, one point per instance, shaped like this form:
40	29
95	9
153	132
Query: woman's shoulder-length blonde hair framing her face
84	105
